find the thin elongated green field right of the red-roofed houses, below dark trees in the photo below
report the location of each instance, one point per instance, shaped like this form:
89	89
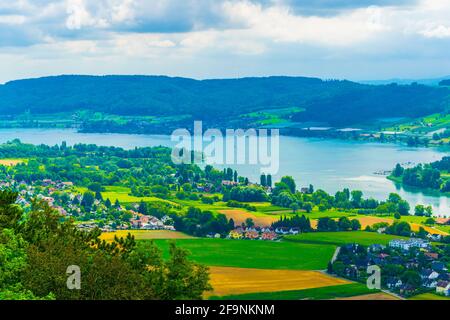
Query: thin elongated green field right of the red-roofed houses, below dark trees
340	238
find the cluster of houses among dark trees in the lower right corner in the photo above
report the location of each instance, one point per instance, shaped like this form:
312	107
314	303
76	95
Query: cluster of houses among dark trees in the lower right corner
408	267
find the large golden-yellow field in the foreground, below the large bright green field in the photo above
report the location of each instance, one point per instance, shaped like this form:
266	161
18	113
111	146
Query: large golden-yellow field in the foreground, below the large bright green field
230	281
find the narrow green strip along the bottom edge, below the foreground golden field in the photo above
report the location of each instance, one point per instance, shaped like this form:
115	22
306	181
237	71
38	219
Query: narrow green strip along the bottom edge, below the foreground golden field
323	293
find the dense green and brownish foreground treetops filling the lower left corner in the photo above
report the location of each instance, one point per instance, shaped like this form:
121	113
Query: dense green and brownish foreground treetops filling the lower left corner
35	255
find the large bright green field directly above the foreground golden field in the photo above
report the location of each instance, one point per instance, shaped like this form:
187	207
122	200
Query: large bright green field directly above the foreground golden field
254	254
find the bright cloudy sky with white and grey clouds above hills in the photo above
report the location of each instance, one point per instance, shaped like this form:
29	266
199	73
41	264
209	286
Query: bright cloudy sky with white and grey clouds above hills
353	39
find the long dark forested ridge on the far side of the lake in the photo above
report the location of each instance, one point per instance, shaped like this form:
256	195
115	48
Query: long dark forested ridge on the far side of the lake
332	101
